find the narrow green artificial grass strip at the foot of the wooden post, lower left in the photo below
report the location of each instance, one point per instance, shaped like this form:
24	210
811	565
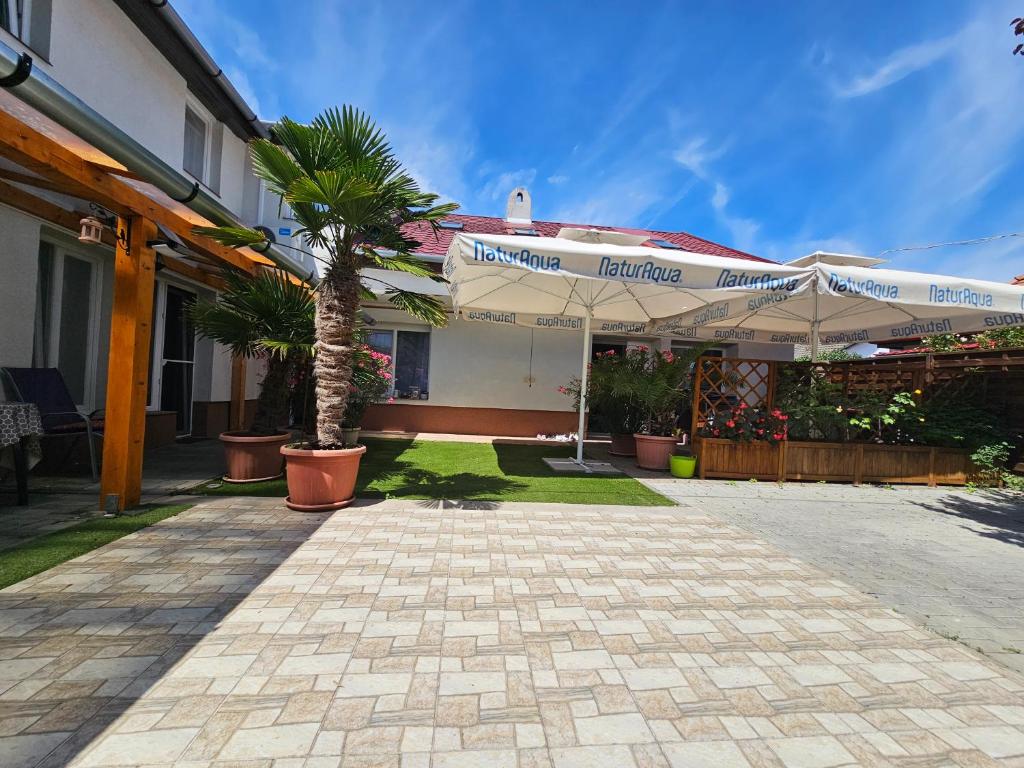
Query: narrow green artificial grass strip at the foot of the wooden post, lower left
44	553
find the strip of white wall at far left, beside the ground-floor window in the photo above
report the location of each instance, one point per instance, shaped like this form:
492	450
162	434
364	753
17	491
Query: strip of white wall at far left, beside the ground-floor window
19	268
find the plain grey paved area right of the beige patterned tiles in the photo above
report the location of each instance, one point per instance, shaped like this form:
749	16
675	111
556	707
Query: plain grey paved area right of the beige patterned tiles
951	560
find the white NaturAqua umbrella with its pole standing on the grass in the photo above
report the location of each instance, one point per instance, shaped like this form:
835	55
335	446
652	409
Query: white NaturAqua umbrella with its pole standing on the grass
580	279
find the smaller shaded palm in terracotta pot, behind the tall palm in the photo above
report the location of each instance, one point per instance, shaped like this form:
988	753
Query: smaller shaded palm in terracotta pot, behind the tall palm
270	318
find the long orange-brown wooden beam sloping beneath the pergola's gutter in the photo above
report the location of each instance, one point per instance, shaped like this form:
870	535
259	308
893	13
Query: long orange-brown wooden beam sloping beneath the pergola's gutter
42	155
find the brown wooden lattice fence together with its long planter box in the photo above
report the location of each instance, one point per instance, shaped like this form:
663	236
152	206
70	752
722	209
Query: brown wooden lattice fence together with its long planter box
994	378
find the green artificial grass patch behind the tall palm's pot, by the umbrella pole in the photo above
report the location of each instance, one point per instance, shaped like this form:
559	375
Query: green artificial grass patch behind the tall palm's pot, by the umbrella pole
478	472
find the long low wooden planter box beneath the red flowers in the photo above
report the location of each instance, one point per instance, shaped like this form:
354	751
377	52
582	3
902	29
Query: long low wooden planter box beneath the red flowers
838	462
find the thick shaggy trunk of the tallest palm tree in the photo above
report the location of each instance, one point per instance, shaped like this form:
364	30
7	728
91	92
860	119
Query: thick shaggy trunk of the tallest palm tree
337	305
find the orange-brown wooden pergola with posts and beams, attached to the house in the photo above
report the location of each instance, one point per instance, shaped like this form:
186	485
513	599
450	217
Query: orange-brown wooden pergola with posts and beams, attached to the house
51	158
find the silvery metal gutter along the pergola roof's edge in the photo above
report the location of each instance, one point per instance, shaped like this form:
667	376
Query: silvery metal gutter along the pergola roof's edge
46	95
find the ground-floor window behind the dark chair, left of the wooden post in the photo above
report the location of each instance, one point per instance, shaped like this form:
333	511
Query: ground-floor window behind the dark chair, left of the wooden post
66	321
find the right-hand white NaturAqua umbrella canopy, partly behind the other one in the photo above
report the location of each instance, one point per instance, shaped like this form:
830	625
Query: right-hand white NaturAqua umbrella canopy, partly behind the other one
850	302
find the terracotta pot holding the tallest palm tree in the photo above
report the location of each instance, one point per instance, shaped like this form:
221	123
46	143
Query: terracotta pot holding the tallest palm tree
322	481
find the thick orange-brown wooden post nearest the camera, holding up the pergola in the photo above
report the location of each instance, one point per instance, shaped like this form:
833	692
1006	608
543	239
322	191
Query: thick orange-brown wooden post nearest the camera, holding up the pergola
129	365
